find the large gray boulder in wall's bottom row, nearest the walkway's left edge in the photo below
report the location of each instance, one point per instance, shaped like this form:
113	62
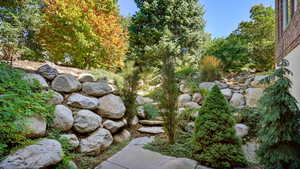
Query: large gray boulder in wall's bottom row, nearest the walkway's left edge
98	141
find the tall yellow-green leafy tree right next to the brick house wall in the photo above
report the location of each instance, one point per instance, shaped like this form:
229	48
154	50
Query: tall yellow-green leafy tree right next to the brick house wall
260	34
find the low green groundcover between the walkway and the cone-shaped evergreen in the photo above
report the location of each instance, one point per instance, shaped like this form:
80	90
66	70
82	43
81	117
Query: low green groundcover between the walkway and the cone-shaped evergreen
181	148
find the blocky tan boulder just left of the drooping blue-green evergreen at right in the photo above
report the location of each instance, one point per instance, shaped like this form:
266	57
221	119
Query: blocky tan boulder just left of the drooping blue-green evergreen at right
253	95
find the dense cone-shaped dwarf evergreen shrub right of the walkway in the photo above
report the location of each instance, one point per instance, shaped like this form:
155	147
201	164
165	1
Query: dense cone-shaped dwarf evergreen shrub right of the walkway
214	142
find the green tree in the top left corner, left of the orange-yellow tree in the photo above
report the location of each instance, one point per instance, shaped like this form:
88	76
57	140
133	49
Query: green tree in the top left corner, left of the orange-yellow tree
20	22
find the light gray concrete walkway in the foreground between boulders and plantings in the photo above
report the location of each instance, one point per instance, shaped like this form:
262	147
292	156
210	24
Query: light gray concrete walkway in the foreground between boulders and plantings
133	156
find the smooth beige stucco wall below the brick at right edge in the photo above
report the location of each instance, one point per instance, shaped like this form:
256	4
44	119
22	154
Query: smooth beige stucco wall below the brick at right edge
294	58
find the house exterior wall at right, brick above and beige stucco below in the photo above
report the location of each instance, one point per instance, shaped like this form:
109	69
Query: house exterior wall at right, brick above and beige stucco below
288	44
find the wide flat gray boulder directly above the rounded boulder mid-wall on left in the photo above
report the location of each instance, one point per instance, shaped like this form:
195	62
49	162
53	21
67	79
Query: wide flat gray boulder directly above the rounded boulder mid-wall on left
80	101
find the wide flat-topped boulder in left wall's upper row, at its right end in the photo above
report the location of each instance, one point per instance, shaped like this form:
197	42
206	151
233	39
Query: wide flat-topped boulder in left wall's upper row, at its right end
96	88
